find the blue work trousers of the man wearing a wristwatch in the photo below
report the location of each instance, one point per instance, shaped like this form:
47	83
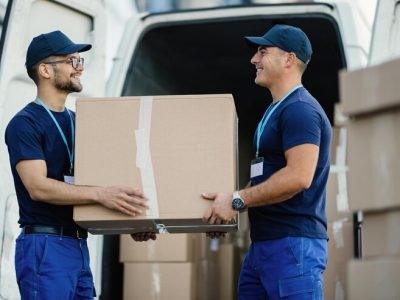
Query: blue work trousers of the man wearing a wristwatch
290	268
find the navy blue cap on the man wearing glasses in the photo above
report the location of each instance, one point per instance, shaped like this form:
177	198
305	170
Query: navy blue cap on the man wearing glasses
51	44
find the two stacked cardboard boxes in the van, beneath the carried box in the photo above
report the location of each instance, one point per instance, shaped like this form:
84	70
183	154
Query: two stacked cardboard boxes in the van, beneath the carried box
161	269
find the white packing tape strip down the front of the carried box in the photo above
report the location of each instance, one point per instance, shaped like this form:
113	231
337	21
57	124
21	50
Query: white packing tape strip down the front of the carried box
143	155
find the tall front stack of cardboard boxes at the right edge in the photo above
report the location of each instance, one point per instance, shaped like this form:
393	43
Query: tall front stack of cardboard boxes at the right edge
371	98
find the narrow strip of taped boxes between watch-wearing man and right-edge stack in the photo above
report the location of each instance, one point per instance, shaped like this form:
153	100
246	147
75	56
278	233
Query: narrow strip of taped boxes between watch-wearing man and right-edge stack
340	225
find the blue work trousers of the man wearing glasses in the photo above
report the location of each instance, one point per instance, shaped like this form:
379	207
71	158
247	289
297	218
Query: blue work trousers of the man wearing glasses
53	267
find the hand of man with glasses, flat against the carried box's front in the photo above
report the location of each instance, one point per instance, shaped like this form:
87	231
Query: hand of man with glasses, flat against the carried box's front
129	201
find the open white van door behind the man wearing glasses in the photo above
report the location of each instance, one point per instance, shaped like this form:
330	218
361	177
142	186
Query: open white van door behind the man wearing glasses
83	21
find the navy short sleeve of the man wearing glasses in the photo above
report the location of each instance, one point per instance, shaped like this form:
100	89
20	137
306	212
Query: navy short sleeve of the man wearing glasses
23	139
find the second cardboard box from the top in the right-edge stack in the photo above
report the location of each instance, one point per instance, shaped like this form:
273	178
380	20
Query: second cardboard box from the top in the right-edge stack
374	164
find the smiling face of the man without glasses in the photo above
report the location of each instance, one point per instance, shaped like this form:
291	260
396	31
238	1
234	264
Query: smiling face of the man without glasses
269	63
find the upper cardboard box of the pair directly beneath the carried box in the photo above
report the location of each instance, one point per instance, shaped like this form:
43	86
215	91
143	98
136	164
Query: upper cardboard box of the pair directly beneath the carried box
166	248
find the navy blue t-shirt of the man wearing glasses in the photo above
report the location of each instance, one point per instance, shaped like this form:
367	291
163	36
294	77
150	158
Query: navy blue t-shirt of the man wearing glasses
33	135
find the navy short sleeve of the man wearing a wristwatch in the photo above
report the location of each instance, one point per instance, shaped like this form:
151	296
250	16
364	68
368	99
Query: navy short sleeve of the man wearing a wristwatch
301	124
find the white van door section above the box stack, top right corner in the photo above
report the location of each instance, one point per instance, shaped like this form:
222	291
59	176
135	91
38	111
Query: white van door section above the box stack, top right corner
385	42
